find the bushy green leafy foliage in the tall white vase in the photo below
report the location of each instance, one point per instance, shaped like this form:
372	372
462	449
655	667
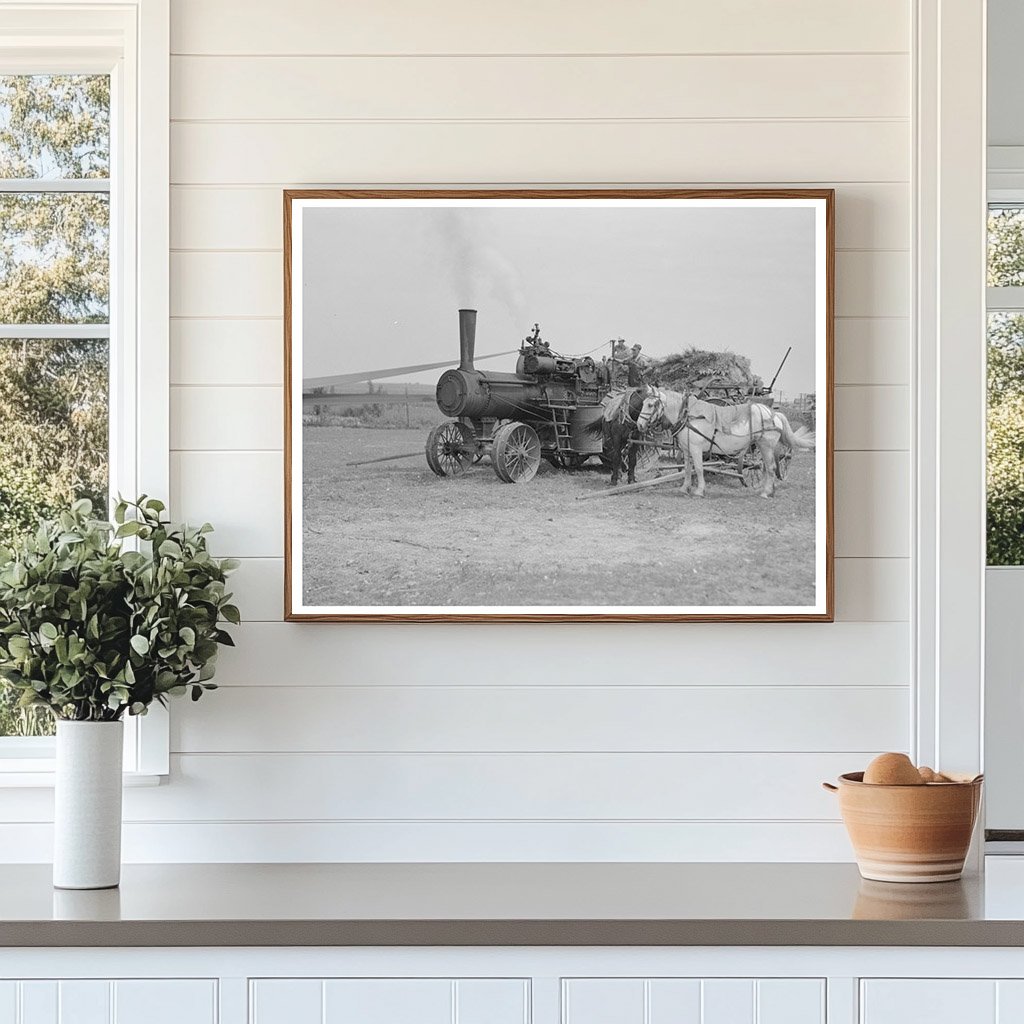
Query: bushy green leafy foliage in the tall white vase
93	631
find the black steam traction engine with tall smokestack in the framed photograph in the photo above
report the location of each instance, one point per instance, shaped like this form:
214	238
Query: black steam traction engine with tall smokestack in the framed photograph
542	411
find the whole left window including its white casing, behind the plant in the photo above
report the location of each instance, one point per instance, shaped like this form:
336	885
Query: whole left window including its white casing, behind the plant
84	124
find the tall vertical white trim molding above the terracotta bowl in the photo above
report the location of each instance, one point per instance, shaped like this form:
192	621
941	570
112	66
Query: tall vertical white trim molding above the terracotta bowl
950	189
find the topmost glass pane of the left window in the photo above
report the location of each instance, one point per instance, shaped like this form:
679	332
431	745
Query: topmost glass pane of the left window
55	126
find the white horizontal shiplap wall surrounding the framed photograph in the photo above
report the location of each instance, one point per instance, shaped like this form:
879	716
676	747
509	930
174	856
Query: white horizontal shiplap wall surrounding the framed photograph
663	742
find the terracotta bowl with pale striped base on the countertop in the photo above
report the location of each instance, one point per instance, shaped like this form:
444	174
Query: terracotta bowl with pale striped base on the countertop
910	833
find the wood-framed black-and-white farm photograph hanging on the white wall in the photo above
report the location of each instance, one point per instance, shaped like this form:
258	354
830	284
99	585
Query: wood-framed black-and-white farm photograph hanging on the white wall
559	406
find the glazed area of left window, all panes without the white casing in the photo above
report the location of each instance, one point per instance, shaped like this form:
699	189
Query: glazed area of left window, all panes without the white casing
55	309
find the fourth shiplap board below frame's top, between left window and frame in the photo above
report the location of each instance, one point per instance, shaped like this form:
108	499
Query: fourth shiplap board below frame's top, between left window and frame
228	418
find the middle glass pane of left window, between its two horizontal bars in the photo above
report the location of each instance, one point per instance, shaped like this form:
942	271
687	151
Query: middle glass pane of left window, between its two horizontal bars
55	259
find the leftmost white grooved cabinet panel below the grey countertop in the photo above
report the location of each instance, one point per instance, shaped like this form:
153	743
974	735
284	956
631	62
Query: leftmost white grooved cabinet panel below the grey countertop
98	1002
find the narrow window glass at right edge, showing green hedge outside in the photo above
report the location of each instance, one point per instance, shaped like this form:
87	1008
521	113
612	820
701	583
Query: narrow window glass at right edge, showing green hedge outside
1006	386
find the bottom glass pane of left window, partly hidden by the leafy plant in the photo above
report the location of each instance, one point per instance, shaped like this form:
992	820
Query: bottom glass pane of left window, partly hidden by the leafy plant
54	449
